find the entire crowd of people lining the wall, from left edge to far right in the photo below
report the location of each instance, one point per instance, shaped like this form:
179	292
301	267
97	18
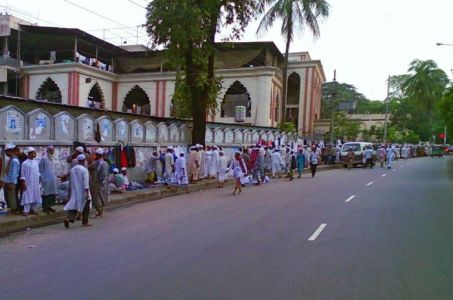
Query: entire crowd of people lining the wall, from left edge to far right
28	182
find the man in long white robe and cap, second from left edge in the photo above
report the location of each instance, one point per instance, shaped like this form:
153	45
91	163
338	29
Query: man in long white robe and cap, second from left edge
29	179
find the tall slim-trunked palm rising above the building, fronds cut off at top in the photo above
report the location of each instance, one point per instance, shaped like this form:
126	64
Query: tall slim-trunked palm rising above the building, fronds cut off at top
295	15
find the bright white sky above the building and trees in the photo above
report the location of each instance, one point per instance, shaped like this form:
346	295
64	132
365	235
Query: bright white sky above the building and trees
365	41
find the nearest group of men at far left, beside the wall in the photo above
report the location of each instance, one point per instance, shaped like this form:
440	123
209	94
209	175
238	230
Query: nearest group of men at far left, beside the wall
29	182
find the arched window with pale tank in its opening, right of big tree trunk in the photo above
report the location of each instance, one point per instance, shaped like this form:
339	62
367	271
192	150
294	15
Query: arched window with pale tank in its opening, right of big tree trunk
236	95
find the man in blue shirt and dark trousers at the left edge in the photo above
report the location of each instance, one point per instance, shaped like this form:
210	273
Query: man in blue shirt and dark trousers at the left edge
10	179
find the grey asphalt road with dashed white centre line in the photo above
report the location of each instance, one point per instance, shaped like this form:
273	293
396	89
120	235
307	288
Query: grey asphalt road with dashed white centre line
284	240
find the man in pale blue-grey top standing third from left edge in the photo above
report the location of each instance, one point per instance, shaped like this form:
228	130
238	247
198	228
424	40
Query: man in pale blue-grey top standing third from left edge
48	180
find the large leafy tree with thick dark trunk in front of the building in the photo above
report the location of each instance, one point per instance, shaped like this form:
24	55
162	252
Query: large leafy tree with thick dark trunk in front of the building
187	30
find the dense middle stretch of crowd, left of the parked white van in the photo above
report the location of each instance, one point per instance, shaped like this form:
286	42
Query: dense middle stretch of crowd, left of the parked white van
255	164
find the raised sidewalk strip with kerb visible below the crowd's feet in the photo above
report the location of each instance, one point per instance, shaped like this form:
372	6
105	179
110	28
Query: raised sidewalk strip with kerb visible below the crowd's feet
12	224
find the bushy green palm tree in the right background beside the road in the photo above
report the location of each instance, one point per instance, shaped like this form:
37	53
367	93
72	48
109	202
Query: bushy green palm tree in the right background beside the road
425	86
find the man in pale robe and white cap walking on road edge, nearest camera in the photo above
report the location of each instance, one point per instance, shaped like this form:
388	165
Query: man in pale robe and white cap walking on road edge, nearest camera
79	202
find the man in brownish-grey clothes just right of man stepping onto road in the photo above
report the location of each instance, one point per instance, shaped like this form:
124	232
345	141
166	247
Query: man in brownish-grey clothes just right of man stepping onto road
99	184
